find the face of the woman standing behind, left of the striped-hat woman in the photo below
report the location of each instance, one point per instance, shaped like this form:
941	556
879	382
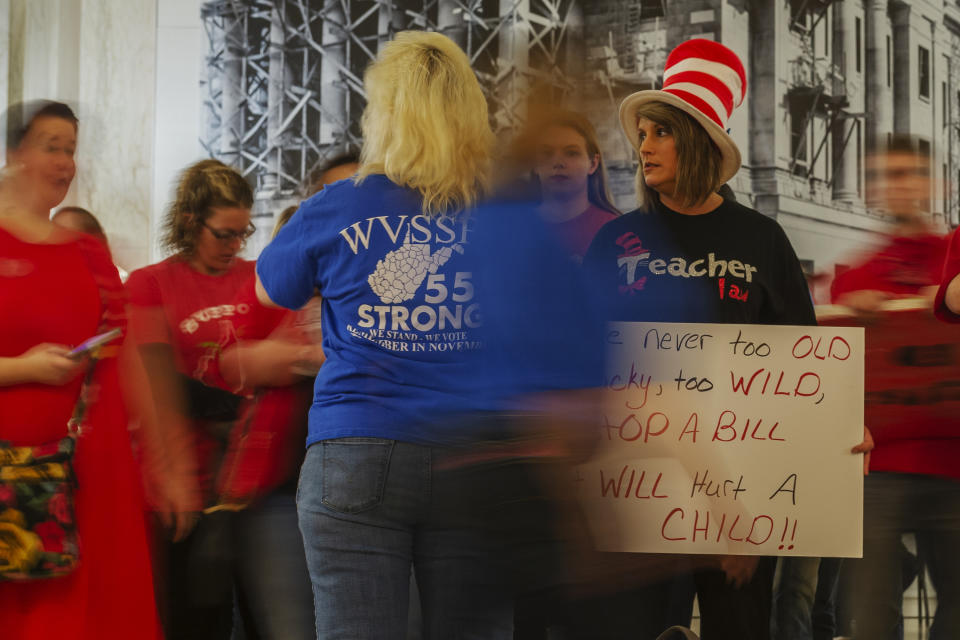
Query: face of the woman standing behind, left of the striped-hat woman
563	163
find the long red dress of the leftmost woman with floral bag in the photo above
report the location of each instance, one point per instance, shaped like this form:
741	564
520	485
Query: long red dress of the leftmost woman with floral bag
58	293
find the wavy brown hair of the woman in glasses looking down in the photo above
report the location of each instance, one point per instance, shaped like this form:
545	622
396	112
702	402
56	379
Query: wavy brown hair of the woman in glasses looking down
203	186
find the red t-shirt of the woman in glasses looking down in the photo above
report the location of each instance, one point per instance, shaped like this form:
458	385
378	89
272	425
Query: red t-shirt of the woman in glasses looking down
173	303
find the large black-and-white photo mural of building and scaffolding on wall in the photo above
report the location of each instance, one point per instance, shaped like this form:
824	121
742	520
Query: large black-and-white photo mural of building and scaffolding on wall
282	88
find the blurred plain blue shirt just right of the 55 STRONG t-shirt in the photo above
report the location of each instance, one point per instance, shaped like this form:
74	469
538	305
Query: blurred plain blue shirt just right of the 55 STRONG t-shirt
542	324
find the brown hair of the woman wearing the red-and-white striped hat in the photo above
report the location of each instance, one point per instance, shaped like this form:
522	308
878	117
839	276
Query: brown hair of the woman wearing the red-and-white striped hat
698	157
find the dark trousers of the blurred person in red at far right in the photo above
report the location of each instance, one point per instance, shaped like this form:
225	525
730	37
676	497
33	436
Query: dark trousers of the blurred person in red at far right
894	504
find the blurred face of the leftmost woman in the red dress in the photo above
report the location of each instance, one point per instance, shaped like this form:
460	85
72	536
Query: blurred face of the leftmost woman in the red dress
44	160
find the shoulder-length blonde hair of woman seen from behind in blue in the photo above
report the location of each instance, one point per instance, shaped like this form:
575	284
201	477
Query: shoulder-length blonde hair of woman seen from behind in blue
425	125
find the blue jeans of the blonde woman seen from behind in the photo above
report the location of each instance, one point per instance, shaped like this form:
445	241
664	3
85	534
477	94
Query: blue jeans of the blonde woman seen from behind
368	509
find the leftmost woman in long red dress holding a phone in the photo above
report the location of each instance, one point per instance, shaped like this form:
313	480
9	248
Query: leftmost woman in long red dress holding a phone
58	288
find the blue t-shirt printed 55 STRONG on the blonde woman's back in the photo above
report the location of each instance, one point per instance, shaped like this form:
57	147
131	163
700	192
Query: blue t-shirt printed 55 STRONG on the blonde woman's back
399	313
